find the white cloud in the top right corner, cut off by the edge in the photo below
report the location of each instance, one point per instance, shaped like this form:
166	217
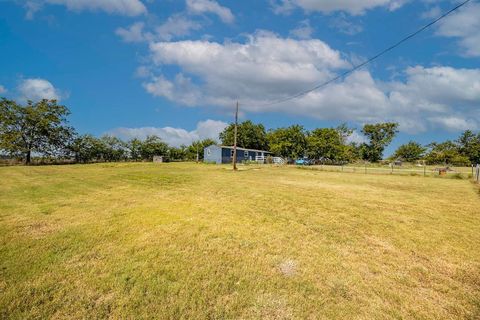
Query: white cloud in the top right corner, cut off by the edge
464	25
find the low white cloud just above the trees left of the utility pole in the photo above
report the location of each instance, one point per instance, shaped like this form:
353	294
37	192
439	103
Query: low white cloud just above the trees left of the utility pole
174	136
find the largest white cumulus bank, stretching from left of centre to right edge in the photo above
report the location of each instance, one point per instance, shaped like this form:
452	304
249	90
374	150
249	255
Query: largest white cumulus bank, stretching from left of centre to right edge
267	67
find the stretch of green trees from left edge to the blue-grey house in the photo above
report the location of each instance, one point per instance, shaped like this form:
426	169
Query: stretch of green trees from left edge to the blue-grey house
41	129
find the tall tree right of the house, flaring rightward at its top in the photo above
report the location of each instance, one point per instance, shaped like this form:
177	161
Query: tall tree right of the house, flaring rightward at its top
380	136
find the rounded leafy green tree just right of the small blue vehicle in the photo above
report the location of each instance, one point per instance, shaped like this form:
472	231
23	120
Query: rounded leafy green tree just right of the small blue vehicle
326	143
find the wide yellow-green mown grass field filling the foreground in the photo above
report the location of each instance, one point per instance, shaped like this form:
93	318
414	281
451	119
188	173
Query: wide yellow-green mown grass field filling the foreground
194	241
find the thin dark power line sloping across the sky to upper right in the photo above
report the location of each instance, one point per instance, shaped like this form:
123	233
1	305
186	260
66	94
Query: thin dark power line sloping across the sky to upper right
378	55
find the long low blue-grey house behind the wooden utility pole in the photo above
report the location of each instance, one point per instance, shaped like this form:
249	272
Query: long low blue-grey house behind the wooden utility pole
224	154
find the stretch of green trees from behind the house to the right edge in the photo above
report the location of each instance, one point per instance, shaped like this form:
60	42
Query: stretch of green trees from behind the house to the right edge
333	144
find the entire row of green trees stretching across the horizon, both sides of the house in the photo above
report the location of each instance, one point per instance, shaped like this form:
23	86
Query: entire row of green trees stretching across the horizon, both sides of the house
41	129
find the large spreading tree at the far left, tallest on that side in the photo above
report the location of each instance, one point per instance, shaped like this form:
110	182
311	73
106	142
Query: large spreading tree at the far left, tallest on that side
39	127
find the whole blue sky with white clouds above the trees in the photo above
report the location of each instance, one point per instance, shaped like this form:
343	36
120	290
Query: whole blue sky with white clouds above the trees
175	67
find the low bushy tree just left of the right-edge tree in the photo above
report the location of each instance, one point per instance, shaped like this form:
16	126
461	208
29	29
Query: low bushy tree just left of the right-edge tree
446	153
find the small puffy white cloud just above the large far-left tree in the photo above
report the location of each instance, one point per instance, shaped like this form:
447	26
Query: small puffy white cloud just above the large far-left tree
38	89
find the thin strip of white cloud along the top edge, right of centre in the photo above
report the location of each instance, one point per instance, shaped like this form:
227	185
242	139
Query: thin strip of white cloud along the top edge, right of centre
353	7
